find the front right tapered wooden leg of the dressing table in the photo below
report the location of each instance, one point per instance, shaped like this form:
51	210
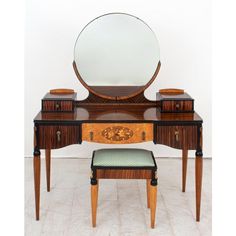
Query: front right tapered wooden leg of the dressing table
198	178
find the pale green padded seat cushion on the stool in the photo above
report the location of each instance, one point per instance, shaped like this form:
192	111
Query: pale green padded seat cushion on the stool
123	157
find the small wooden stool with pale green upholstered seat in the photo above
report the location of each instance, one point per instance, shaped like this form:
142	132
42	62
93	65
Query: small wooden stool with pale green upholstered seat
124	164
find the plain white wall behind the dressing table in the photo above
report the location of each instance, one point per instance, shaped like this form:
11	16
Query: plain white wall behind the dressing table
183	29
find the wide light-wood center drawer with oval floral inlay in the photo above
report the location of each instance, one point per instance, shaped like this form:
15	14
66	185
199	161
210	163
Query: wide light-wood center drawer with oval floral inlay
117	133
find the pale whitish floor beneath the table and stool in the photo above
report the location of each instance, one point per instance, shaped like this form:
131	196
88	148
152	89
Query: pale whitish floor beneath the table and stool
122	203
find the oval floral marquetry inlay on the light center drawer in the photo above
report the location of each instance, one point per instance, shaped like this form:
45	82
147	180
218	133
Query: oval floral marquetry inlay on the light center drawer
117	133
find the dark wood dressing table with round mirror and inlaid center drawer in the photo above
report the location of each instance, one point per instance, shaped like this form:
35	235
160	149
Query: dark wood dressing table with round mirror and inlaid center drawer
117	57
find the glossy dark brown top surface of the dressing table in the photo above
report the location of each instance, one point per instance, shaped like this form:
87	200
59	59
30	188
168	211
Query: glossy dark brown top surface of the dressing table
119	113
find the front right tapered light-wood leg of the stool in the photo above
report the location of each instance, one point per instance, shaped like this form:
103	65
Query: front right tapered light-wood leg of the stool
153	201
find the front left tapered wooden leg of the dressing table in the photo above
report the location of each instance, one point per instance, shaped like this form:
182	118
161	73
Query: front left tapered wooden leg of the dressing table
37	181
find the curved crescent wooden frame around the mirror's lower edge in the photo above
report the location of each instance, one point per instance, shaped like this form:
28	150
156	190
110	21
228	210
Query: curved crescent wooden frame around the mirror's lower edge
123	92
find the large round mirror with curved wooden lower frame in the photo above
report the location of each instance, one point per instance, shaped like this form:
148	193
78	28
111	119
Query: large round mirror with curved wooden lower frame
116	56
